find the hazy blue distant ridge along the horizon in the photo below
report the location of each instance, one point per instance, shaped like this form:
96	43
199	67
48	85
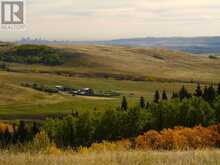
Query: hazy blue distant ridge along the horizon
197	45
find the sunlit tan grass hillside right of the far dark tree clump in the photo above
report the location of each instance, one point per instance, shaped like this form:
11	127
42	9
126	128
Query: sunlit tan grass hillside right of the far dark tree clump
144	64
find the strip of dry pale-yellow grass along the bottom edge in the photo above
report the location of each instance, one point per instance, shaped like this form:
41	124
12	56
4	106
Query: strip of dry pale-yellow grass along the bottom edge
203	157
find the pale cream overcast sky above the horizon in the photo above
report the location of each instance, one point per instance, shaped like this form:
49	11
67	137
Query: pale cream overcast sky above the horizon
112	19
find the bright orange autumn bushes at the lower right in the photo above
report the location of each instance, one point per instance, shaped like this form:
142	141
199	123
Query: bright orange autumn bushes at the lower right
180	138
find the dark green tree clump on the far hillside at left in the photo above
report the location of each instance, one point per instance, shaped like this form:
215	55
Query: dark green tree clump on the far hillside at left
32	54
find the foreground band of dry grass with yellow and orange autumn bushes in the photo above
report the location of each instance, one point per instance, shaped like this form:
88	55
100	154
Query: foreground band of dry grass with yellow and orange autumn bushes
150	148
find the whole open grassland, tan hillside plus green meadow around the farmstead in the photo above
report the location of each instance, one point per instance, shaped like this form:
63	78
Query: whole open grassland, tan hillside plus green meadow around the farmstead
101	68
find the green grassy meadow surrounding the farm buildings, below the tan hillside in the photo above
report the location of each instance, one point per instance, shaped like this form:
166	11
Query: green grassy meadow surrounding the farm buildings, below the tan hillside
20	102
